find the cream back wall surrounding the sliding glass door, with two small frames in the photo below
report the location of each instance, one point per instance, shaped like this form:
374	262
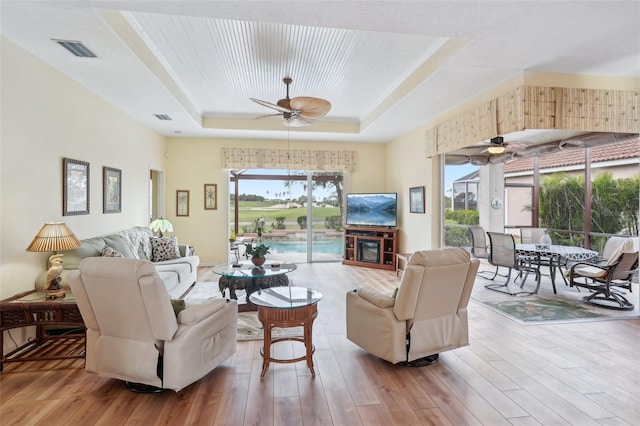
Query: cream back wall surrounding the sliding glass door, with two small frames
192	162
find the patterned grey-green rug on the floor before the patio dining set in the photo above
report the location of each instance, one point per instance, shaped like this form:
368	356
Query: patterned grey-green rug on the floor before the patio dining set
539	310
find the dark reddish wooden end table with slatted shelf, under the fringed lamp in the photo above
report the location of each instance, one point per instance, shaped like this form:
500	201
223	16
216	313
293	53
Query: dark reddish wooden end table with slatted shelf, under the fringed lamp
31	308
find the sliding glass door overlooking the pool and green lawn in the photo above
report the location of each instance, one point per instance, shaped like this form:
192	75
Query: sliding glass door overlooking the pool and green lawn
301	212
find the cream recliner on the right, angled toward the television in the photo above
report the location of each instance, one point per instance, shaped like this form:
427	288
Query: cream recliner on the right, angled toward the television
428	315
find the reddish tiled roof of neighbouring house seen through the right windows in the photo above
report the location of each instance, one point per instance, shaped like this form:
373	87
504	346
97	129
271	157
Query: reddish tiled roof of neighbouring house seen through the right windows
616	151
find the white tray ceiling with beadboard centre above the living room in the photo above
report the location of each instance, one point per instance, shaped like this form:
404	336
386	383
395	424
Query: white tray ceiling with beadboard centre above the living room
387	67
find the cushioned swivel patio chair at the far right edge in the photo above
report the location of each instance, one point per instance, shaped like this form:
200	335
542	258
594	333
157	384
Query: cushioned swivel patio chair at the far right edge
603	279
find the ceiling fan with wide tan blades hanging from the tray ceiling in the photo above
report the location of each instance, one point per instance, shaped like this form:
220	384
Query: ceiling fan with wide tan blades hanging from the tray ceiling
300	111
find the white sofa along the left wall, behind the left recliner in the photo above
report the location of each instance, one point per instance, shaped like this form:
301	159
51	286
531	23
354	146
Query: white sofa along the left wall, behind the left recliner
135	243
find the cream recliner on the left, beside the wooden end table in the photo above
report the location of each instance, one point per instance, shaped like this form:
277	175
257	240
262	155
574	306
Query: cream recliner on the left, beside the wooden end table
133	333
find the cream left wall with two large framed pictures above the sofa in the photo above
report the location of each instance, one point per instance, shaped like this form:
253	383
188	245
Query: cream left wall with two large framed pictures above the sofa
46	116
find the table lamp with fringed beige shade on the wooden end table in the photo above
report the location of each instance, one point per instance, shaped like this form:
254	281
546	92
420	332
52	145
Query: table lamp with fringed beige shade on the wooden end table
54	237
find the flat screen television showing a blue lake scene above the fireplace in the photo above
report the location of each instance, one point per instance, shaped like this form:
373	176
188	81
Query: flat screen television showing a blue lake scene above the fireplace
374	209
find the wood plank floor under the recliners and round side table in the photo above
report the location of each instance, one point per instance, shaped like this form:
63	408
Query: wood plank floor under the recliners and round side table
585	373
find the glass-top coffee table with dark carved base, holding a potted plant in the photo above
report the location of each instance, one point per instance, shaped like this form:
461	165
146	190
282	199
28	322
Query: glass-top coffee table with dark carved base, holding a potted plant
247	276
